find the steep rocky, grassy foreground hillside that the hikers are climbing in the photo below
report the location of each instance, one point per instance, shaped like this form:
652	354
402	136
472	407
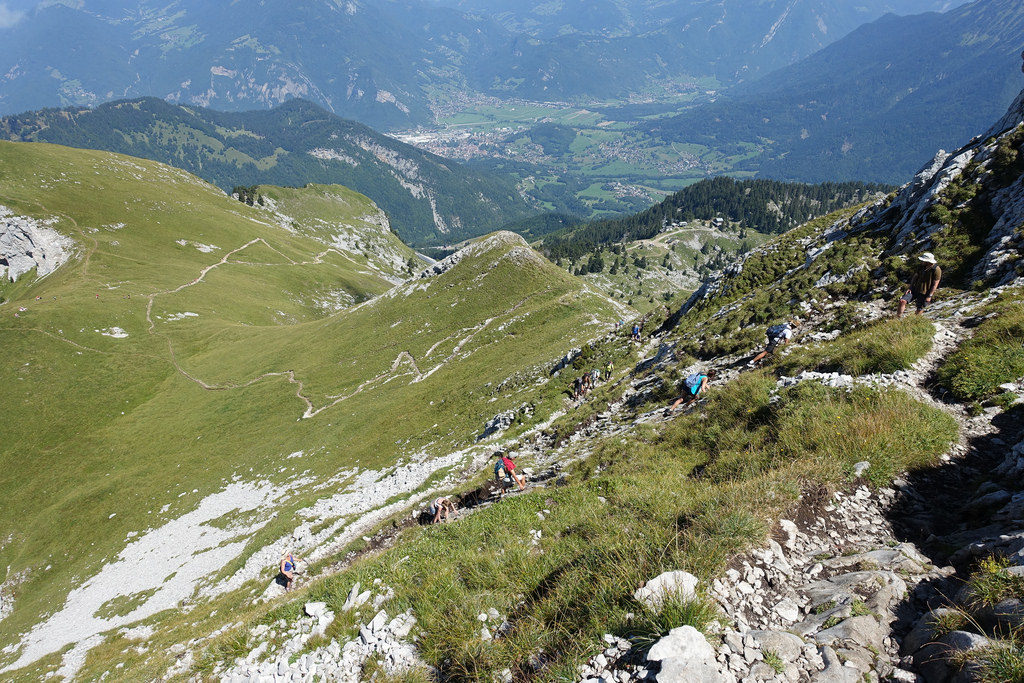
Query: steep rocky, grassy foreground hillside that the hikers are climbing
539	585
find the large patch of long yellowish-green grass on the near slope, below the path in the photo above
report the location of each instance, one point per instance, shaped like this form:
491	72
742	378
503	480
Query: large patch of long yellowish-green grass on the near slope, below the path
690	496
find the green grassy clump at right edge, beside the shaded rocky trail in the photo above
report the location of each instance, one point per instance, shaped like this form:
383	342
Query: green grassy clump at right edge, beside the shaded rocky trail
994	357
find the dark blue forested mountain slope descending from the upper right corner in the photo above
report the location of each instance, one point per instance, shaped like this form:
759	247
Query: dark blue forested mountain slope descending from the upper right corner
876	105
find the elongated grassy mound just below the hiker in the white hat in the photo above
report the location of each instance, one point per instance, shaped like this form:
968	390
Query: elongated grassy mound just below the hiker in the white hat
884	347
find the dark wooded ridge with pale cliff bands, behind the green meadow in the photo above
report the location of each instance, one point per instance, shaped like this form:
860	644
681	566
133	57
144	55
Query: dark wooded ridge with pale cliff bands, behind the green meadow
429	200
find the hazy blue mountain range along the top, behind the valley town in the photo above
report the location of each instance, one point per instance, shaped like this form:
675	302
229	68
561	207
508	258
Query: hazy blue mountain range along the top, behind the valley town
398	58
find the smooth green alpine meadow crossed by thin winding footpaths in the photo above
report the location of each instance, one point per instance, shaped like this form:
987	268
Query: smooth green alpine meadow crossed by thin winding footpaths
199	353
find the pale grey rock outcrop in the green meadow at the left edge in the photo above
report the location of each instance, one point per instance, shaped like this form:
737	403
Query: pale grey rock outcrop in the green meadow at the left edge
28	244
